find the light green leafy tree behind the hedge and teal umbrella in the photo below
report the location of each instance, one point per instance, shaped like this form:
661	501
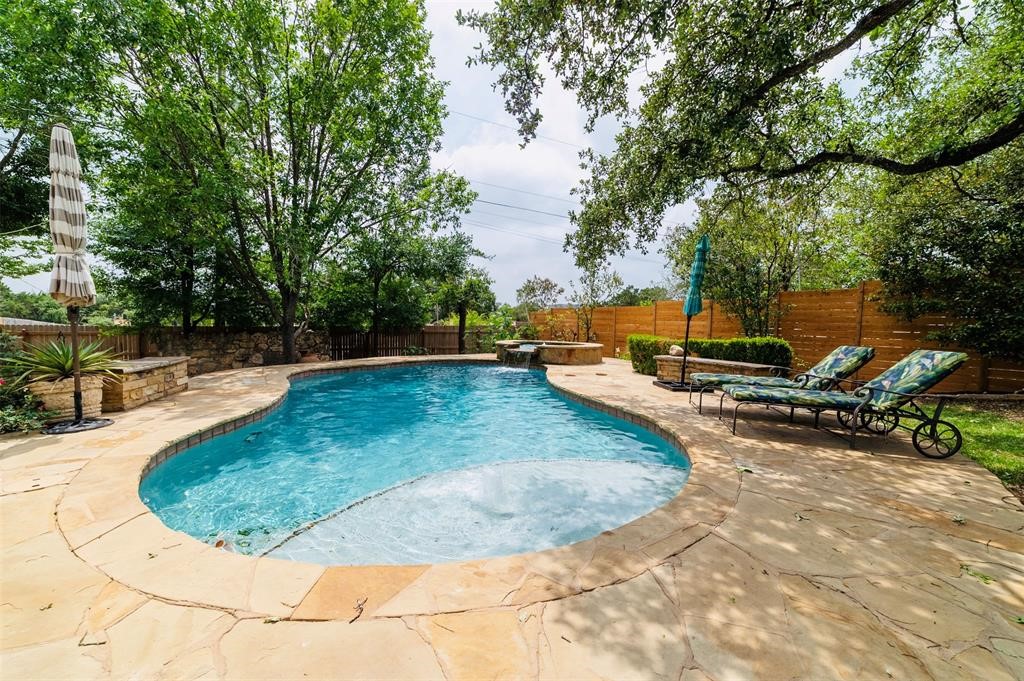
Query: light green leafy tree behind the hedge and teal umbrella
794	236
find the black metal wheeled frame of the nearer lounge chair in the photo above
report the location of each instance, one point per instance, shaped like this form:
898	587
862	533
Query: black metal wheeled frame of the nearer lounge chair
932	437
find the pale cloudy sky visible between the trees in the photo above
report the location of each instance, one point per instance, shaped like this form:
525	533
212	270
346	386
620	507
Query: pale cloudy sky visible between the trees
521	219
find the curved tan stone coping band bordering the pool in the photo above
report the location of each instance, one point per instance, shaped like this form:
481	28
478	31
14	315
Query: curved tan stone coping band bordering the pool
107	525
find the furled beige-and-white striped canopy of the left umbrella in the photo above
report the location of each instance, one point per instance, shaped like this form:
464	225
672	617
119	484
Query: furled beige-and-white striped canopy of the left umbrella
71	284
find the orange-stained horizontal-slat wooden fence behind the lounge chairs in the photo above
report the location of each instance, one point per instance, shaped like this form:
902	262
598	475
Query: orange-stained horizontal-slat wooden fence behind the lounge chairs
814	322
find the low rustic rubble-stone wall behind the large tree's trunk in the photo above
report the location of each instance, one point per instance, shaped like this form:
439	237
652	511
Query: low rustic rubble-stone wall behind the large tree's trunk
219	350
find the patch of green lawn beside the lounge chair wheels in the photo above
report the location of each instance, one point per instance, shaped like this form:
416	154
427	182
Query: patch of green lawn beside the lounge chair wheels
995	441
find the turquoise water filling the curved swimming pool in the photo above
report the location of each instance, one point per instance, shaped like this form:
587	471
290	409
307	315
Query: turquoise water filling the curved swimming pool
417	464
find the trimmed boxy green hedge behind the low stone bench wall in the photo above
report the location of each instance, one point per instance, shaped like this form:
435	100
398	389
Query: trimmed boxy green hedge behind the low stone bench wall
759	351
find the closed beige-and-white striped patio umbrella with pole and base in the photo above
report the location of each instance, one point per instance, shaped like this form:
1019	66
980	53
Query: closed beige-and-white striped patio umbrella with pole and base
71	283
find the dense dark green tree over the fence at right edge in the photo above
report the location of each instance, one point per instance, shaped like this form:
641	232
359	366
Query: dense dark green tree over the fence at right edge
952	243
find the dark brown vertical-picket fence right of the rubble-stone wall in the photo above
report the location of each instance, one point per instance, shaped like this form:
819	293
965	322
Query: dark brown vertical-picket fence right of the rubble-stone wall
435	339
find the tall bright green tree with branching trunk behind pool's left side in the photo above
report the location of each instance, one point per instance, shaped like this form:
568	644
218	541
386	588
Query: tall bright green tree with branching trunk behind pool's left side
300	122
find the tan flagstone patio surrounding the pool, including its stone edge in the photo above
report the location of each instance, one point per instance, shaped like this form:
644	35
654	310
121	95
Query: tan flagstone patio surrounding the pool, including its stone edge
786	557
